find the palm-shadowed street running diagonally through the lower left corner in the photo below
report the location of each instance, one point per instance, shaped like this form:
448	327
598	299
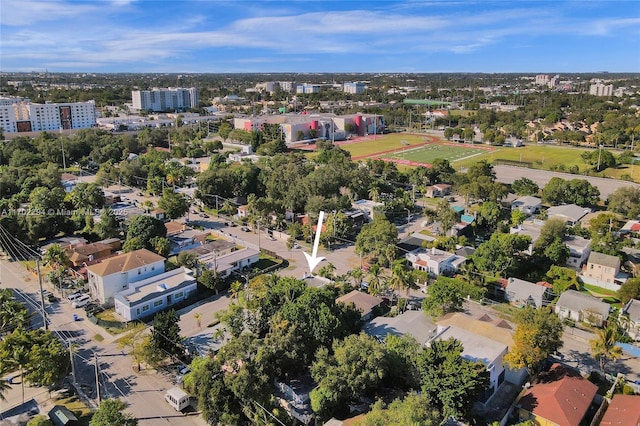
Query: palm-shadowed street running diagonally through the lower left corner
143	392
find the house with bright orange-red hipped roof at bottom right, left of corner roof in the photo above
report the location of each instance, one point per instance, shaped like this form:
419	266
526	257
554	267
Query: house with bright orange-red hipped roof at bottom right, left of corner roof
559	397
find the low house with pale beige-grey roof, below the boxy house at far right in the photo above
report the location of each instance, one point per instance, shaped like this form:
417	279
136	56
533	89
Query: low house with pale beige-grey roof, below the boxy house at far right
581	307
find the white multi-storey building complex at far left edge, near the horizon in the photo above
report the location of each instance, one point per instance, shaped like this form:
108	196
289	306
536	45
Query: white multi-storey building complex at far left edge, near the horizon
19	115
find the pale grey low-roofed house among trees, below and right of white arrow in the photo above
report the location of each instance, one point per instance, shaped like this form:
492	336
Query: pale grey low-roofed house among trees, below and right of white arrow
412	323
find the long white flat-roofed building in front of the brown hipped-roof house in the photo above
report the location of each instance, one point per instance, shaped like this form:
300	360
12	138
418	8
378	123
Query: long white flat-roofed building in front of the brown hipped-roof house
148	296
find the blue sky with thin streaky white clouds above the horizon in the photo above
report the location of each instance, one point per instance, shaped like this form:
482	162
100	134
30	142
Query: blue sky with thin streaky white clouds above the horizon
319	36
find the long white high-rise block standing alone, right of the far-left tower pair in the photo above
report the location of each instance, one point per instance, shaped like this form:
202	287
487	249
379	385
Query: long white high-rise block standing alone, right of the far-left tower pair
170	99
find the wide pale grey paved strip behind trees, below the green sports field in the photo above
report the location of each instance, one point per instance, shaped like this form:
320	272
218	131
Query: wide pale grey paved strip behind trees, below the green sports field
508	174
